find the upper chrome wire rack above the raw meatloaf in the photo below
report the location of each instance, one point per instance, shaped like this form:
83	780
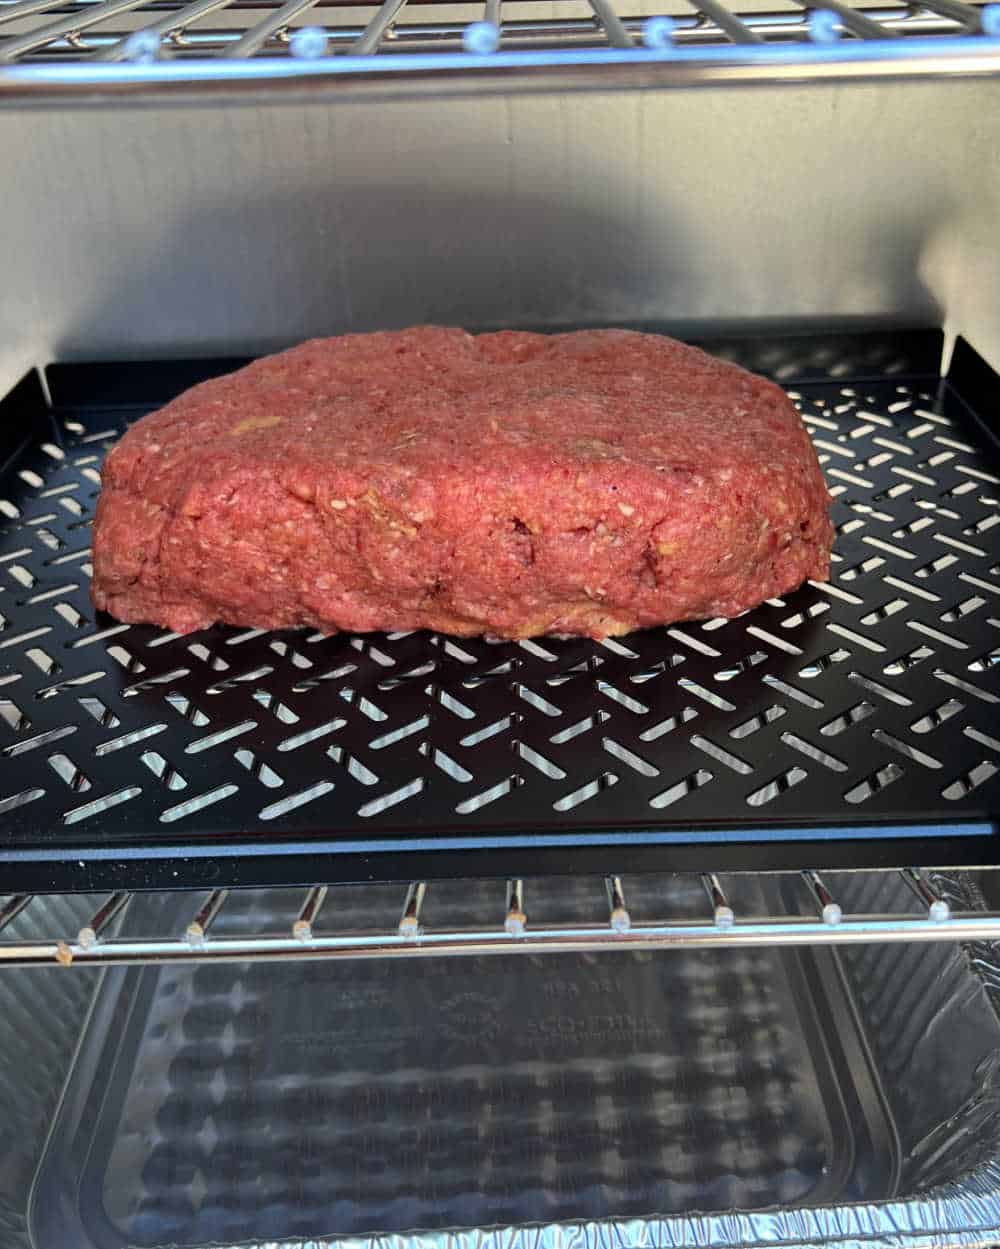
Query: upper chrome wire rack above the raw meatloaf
120	46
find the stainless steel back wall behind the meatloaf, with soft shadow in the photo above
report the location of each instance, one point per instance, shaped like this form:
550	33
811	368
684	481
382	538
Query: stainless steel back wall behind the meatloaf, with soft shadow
223	227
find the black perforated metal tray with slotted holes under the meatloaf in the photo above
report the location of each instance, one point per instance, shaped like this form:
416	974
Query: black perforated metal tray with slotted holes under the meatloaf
848	725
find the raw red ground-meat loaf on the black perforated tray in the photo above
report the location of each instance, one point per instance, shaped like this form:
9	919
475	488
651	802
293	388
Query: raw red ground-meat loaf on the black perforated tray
505	484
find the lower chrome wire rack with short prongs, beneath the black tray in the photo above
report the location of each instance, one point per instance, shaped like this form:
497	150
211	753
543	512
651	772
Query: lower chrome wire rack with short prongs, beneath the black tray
509	935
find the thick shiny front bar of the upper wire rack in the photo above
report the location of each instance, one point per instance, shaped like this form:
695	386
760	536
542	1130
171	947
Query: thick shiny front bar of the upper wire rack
460	74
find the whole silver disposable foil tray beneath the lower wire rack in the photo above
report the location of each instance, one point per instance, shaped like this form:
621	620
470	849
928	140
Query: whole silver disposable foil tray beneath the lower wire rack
758	1097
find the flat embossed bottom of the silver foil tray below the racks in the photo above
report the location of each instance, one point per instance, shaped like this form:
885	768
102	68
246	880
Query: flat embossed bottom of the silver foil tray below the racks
220	1105
